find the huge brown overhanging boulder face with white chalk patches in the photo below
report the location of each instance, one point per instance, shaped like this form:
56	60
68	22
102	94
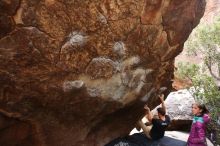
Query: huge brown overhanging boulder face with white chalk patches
79	72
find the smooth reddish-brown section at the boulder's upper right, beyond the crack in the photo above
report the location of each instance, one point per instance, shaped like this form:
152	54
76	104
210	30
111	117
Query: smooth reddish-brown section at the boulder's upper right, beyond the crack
179	19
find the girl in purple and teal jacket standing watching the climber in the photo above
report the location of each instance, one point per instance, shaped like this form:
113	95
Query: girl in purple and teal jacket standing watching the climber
200	120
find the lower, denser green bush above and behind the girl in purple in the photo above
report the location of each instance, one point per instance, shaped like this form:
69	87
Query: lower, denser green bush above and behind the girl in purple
204	87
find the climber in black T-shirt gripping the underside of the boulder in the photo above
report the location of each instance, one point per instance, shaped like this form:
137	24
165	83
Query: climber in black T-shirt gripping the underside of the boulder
158	124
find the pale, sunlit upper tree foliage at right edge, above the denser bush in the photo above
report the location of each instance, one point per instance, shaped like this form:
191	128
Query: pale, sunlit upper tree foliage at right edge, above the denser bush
205	41
